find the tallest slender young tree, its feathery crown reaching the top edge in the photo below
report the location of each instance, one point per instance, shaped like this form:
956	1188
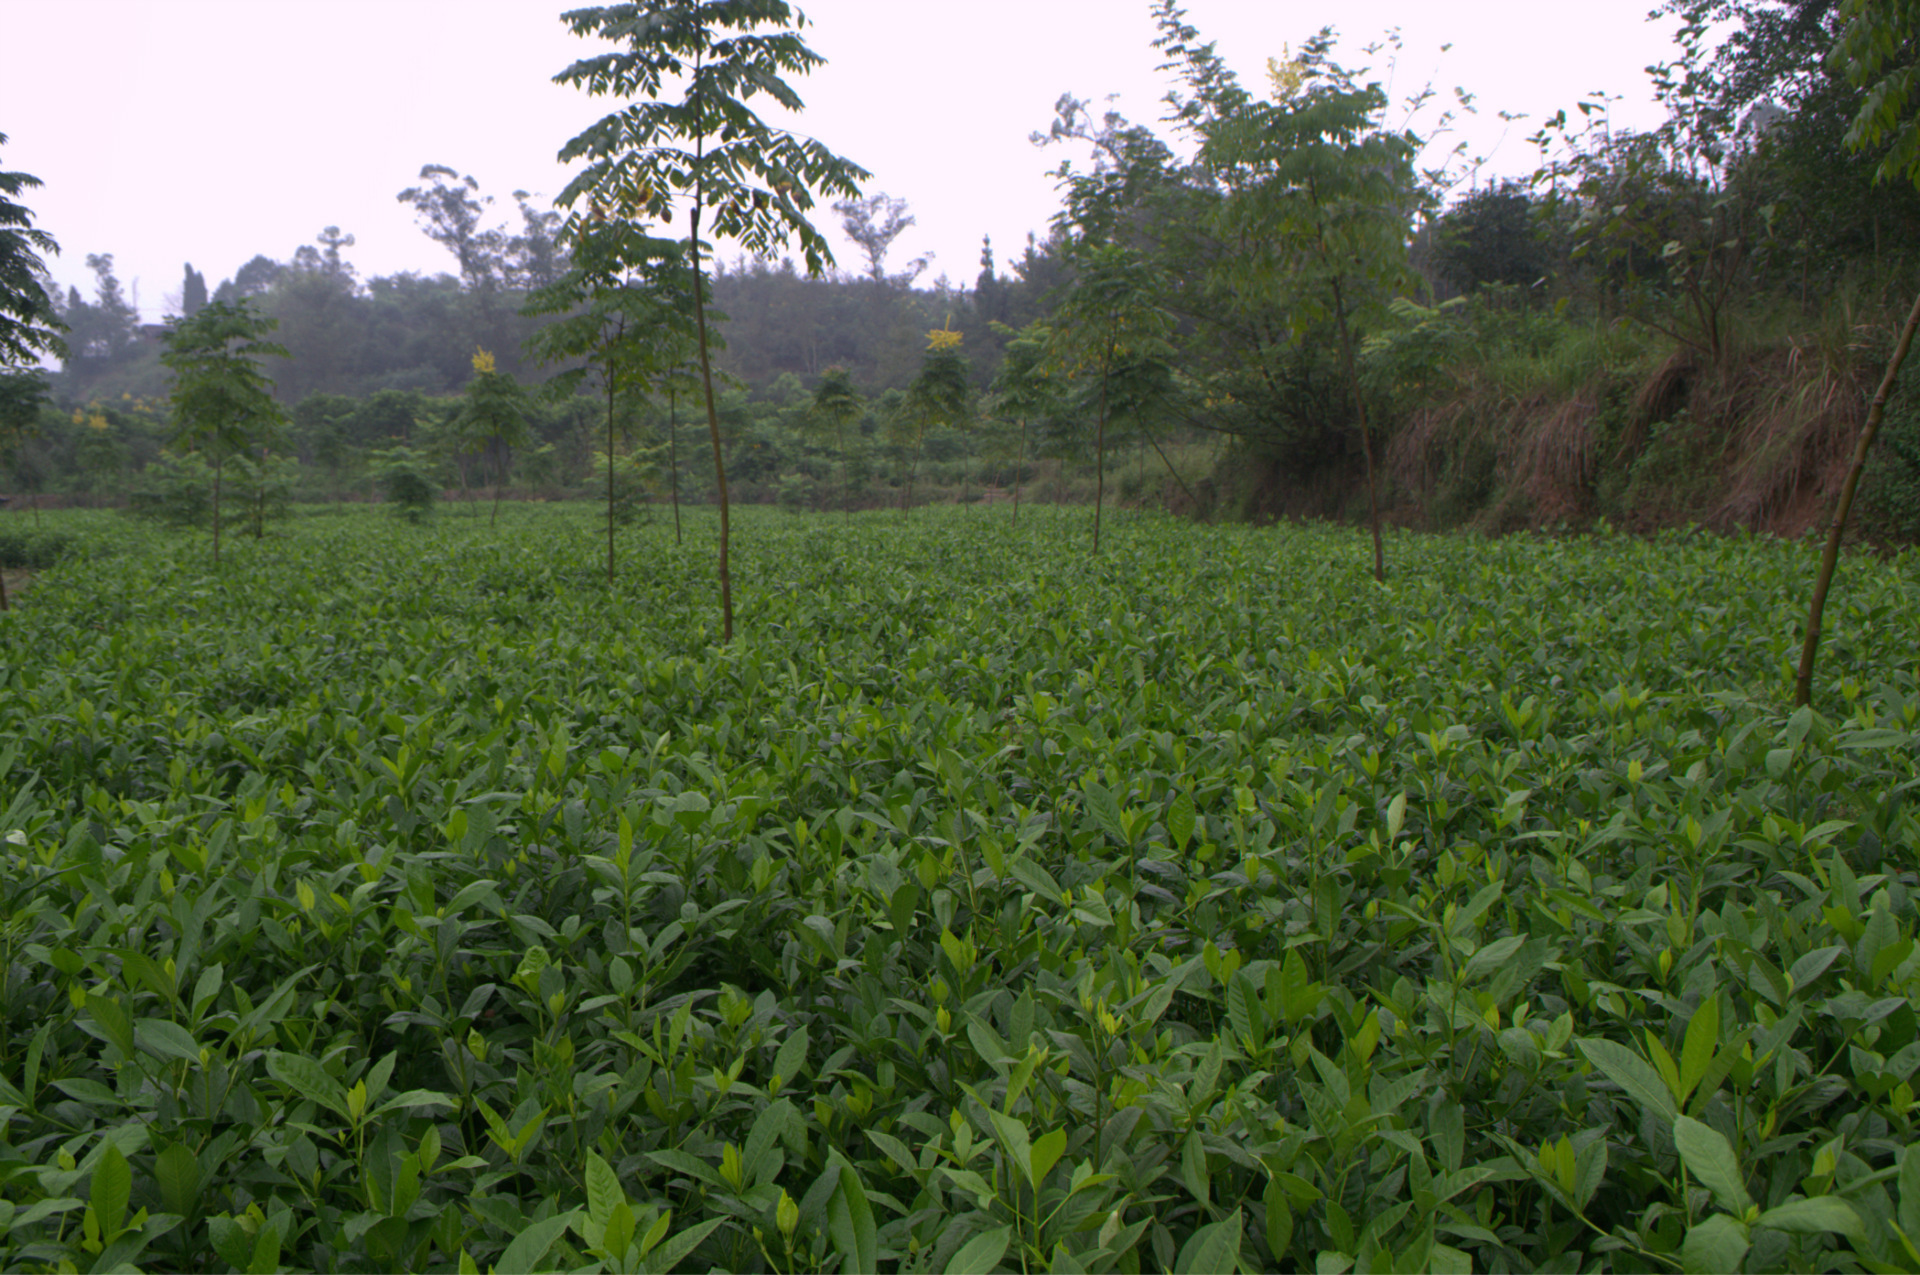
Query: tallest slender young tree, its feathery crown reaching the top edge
708	151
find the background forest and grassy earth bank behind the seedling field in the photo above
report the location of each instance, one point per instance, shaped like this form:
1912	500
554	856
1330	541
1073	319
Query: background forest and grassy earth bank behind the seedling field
1654	329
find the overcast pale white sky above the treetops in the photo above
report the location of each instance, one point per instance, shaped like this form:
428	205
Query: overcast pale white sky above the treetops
208	132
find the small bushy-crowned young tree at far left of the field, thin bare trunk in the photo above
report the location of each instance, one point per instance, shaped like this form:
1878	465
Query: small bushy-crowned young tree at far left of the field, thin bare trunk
222	400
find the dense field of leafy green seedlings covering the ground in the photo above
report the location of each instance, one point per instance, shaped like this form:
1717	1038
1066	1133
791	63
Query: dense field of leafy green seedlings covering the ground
404	900
